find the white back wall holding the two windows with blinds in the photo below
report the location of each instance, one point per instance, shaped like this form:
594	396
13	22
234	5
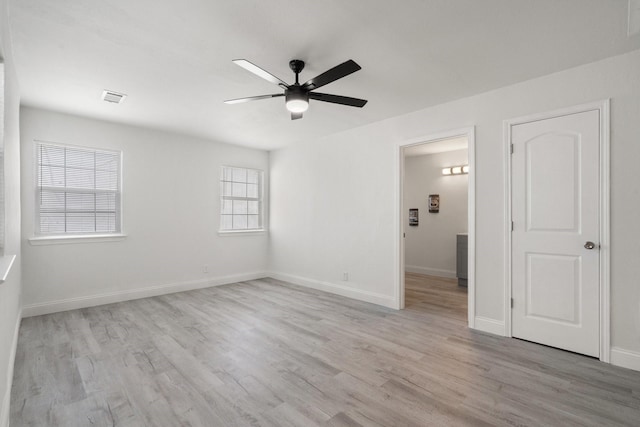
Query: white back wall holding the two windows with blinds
170	215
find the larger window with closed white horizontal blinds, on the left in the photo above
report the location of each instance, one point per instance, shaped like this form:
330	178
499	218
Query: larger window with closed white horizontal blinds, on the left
78	190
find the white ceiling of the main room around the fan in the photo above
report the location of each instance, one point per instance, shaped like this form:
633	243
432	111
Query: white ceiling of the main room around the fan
173	59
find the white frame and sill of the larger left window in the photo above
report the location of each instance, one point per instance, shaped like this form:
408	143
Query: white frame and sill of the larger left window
69	237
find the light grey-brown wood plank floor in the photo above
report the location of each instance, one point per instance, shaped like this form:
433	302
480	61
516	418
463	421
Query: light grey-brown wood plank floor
266	353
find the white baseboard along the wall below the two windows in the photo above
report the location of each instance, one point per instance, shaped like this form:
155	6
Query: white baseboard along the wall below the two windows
119	296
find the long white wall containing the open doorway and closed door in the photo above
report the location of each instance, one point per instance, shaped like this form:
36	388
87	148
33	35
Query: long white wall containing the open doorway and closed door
334	198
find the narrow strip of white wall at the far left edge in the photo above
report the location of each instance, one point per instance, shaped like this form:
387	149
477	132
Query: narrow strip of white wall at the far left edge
10	290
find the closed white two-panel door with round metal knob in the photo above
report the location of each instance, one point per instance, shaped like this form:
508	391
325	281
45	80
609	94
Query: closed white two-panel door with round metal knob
555	238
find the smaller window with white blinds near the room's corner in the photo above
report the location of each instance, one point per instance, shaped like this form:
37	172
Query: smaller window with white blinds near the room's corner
241	199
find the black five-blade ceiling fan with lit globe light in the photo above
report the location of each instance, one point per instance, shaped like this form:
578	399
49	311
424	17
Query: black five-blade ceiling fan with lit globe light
297	95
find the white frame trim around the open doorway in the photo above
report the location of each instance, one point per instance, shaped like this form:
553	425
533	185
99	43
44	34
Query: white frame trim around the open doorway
399	285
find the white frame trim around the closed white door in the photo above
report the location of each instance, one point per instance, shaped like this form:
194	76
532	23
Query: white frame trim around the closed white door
604	188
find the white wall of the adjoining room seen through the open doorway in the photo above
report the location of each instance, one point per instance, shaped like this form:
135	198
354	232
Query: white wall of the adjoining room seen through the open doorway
430	247
